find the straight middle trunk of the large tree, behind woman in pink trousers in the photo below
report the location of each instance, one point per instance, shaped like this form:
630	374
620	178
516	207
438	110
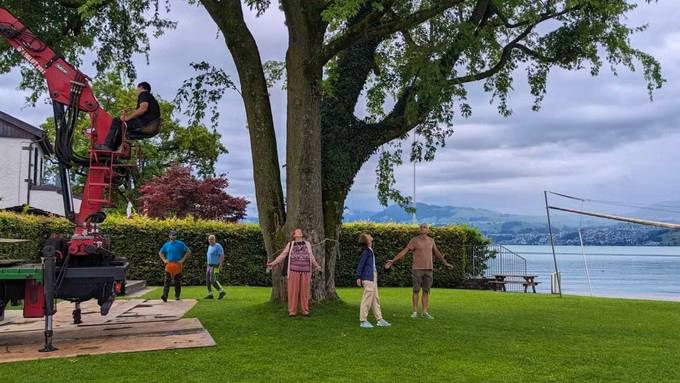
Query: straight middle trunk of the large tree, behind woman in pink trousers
303	146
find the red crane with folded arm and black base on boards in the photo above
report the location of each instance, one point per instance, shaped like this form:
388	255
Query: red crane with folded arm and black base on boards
81	266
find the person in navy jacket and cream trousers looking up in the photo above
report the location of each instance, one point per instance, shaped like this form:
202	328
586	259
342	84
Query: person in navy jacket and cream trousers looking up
367	276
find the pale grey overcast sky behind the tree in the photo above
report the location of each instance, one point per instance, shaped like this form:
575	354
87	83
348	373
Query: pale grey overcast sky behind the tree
595	137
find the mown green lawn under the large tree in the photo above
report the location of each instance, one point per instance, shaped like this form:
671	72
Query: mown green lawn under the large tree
476	336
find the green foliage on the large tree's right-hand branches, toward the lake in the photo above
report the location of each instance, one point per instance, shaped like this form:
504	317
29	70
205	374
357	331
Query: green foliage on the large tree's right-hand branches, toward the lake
427	65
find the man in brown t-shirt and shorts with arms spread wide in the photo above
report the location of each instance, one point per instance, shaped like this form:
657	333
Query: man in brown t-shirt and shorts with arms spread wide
423	247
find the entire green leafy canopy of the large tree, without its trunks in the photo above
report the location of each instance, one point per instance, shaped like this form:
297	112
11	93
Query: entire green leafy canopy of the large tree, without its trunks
422	56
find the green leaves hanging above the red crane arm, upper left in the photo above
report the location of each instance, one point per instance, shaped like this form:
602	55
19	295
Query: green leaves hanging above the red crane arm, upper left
116	30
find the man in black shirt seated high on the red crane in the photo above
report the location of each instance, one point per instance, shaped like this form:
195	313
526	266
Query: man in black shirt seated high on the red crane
147	111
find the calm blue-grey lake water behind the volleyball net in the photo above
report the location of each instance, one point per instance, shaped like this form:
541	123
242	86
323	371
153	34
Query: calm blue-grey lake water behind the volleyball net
646	272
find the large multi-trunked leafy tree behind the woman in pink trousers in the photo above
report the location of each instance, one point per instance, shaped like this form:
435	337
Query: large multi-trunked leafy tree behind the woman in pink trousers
412	58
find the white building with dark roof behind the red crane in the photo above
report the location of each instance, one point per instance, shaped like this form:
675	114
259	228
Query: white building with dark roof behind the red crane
23	149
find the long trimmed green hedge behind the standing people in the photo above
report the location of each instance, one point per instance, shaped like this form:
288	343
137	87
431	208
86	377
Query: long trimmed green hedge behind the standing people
139	239
